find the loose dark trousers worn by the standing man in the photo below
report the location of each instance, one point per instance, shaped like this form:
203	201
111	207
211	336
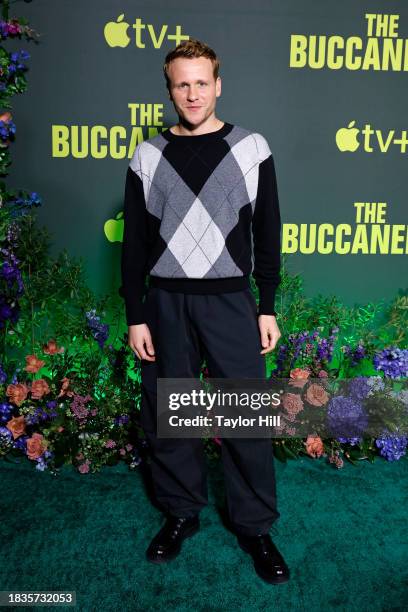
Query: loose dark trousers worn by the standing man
224	329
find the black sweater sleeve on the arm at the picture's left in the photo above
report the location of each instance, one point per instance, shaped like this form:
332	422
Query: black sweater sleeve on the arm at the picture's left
134	249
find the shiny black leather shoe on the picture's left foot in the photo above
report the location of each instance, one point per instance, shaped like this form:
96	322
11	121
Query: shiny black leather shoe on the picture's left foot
166	544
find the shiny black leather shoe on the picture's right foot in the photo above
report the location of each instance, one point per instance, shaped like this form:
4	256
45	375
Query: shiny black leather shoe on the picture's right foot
268	562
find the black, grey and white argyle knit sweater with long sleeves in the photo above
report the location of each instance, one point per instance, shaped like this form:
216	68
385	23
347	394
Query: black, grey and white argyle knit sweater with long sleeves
201	214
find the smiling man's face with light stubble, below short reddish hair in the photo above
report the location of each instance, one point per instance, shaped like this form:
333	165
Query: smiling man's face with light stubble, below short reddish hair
193	89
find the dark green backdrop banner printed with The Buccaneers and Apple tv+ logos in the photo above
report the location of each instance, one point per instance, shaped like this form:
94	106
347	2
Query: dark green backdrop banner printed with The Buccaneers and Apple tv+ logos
324	82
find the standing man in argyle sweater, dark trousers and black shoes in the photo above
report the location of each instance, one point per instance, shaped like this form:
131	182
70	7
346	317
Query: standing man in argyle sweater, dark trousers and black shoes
201	214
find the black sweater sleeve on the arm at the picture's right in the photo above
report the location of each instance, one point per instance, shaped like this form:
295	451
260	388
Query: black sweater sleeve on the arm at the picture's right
266	228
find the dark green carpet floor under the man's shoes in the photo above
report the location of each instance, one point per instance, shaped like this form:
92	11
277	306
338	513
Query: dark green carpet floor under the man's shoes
342	532
